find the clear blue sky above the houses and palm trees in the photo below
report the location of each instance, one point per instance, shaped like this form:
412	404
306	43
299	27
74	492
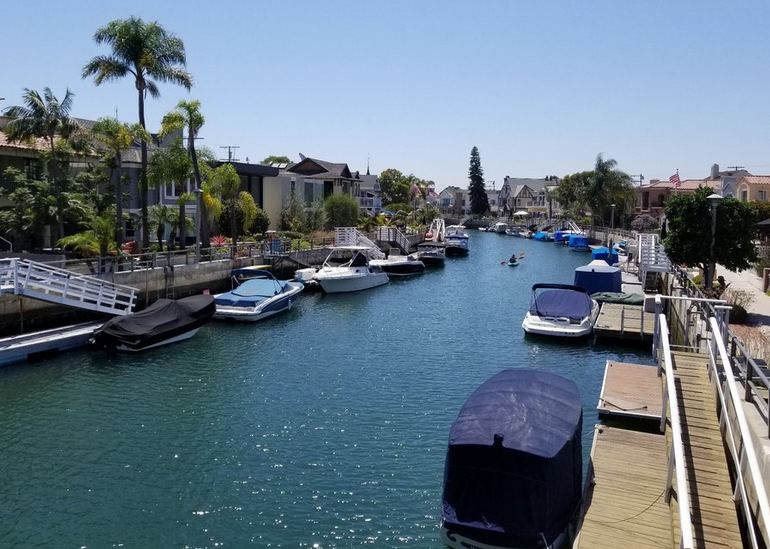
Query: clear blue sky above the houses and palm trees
539	87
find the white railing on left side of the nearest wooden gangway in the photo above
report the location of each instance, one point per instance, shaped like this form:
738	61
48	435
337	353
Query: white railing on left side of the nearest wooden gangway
676	459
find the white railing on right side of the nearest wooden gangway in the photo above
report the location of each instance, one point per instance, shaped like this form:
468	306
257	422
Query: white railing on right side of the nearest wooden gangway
742	450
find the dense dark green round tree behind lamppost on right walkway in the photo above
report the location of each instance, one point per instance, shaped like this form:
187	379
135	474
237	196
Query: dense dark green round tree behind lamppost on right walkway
688	238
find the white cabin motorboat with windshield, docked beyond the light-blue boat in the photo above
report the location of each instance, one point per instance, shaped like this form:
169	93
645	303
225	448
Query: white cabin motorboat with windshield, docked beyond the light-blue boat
347	269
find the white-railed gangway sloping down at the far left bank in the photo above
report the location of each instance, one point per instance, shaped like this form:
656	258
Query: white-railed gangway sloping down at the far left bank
41	281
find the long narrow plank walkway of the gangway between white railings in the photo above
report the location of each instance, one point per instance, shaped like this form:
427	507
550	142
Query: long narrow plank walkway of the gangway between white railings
714	517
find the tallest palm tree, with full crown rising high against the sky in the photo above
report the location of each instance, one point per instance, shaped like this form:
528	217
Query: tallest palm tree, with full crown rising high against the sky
149	53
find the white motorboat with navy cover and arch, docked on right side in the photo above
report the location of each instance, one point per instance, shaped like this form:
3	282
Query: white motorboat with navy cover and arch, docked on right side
560	310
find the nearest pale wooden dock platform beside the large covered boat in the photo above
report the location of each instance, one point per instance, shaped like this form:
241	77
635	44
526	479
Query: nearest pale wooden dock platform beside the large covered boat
625	506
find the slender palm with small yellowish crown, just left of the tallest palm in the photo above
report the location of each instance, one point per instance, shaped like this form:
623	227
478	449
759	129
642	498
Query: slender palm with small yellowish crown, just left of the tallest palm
117	137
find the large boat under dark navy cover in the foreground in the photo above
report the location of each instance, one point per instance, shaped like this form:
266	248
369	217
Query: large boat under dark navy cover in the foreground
513	473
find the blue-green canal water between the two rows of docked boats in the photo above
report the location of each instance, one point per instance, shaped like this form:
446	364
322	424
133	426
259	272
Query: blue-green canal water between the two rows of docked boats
325	427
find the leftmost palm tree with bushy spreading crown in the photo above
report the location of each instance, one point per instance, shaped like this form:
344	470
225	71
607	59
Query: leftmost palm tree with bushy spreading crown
45	117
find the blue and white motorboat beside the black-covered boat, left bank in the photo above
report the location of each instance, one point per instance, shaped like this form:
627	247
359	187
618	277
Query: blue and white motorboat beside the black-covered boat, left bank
256	295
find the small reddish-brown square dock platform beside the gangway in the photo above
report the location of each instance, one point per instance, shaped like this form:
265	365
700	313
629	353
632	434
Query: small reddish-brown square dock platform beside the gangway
630	391
